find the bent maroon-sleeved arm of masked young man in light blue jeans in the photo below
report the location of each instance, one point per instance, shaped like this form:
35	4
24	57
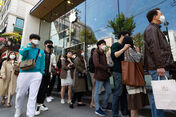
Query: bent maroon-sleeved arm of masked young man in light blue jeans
96	61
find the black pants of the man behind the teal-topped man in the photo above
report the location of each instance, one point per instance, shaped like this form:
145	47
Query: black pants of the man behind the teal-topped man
43	89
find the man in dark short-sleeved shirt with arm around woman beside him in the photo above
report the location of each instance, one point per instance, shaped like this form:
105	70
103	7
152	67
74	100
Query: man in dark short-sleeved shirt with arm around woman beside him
117	55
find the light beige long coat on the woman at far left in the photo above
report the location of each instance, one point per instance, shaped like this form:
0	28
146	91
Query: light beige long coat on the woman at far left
9	84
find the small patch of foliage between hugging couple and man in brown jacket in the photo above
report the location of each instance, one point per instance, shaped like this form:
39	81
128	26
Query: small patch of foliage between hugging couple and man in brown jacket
138	40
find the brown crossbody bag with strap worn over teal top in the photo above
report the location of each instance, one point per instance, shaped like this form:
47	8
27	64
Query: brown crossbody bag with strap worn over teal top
28	64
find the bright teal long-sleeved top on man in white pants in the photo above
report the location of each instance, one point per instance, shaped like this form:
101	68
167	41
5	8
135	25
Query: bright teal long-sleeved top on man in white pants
30	53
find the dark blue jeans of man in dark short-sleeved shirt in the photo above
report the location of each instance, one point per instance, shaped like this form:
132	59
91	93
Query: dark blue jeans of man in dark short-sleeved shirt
118	88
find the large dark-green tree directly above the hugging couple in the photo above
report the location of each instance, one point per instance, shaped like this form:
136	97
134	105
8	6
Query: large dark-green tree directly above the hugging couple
126	24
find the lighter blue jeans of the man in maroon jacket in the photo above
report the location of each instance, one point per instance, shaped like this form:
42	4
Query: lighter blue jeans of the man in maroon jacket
106	96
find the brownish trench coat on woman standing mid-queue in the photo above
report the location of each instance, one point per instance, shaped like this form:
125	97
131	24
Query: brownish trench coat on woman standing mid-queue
79	84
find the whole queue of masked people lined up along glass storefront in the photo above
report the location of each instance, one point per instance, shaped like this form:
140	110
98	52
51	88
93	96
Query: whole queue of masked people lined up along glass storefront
72	71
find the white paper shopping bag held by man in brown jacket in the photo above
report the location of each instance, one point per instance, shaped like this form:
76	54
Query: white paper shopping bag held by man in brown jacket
164	92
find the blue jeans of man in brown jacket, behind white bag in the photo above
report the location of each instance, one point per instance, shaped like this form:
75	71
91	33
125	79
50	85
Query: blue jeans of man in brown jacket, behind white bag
156	112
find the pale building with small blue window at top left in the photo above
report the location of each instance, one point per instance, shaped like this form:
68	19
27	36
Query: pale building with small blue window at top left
12	15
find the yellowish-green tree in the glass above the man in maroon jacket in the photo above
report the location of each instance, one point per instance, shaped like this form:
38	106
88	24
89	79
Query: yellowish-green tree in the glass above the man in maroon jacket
90	36
